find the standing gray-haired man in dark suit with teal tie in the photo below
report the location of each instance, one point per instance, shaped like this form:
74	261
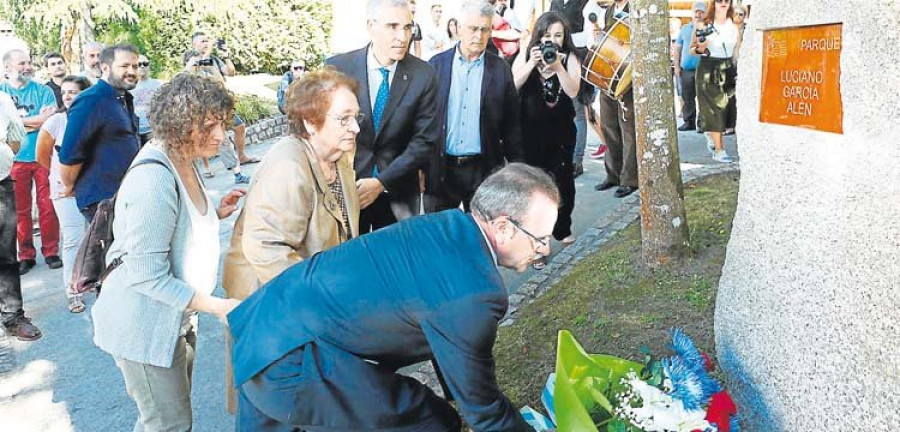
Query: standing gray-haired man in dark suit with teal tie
397	96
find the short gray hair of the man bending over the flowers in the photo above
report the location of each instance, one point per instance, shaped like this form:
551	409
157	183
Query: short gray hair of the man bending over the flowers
508	191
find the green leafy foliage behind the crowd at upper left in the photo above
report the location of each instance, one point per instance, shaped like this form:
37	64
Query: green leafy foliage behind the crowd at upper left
263	35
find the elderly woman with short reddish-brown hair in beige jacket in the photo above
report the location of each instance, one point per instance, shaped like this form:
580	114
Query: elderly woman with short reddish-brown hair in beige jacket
303	199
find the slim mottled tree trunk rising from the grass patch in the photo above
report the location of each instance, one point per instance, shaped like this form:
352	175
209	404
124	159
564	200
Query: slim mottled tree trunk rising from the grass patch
664	229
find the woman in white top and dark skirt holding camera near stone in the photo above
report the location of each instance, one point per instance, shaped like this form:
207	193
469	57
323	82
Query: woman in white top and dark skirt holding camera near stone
717	41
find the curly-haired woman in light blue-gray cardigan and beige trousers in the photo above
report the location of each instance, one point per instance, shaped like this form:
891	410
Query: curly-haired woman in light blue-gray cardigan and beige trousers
166	233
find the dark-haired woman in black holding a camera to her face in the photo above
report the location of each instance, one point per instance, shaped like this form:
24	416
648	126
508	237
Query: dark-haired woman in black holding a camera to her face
547	77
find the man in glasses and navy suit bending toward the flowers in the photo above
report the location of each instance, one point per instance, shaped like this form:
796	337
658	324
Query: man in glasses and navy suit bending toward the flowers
318	347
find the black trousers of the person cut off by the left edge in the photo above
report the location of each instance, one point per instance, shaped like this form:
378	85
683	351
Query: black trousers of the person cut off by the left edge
10	282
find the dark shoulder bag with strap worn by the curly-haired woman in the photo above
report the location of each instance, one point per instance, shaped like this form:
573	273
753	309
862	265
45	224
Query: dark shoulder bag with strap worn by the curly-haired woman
90	268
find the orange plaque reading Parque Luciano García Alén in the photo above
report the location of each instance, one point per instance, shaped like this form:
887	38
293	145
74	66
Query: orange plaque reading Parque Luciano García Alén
801	83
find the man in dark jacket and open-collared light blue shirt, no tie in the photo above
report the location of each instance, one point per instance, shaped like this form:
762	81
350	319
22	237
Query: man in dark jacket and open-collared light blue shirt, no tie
478	110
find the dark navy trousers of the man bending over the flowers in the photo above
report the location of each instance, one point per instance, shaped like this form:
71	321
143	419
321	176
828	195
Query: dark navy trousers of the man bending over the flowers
320	388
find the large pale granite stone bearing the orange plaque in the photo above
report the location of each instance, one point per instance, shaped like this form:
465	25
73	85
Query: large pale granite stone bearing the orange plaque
808	311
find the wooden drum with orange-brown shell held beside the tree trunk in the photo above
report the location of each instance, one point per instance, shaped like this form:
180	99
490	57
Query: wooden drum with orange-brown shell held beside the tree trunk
607	64
